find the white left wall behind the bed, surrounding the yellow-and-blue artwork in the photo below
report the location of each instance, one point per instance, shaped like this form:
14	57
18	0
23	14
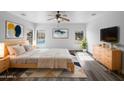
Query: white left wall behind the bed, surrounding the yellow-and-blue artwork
7	16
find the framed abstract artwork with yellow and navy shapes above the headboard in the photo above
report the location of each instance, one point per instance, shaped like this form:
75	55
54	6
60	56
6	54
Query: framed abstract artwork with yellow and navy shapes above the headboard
13	30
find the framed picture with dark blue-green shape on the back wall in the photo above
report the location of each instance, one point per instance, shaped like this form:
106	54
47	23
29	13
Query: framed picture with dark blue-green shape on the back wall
60	33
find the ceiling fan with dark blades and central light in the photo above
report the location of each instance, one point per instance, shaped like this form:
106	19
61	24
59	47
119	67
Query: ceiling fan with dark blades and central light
59	17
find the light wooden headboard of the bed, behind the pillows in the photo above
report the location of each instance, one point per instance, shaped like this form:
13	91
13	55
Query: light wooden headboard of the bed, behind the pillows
13	42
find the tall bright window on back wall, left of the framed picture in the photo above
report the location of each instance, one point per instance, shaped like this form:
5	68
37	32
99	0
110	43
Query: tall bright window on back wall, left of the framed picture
40	38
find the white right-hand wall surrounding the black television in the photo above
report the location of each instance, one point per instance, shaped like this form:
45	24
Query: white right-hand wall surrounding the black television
107	20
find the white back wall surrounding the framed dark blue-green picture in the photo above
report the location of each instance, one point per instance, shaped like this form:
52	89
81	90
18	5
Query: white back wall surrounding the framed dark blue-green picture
69	43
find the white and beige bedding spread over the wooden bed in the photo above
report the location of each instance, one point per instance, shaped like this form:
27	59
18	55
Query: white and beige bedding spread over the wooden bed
45	58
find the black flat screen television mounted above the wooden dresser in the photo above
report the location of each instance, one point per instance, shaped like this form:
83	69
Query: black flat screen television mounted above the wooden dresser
110	34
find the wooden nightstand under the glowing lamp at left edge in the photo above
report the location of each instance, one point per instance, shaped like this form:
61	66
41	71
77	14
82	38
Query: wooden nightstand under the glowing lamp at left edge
4	64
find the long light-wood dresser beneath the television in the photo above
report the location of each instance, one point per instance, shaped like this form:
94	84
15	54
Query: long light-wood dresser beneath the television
111	58
